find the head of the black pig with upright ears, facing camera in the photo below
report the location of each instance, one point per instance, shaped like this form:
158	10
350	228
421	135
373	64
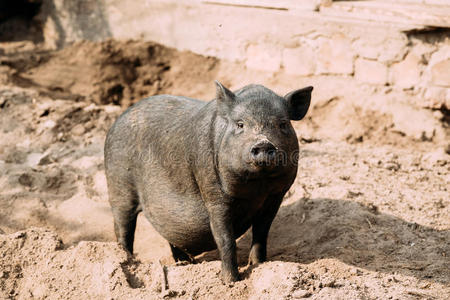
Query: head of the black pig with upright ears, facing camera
254	135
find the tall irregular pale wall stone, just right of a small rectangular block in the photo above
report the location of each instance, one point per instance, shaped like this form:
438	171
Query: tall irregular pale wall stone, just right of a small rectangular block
406	74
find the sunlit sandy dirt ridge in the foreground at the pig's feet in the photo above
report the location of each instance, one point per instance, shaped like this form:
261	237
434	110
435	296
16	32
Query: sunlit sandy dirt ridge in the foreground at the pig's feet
34	265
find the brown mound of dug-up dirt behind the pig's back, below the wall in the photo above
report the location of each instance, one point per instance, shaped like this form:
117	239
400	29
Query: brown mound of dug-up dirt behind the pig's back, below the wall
111	72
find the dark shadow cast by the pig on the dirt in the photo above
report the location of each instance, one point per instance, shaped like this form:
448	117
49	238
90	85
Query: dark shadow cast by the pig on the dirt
313	229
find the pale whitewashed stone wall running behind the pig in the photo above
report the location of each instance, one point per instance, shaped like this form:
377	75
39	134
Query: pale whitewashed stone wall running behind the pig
364	40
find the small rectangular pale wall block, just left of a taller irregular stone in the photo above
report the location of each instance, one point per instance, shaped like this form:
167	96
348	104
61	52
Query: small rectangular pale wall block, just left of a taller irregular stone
370	71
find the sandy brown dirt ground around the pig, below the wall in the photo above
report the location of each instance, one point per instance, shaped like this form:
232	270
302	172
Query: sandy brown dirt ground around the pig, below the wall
368	216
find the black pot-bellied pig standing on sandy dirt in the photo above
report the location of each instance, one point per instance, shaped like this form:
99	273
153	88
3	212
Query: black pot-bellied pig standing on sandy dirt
204	172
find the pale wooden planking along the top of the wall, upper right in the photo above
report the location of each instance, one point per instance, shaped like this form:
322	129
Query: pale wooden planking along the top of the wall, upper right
402	14
